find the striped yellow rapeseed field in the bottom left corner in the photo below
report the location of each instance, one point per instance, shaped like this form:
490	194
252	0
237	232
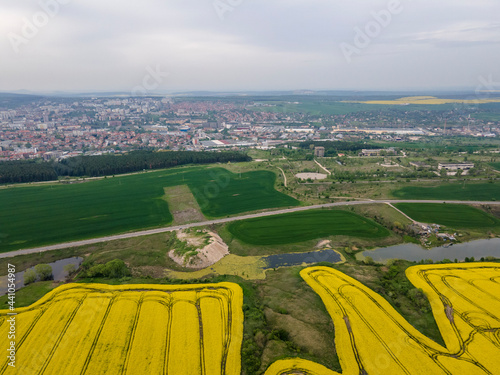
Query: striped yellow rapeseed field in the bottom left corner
139	329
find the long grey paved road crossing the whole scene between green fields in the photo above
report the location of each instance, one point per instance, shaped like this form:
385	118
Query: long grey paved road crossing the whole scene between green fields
219	221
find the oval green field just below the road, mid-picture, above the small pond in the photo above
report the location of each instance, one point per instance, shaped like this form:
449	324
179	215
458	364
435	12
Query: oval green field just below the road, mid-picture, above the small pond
302	226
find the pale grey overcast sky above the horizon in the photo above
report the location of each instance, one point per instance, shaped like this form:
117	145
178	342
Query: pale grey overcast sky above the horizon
89	45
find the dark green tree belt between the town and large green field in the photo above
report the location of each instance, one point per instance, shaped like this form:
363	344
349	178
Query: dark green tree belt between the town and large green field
102	165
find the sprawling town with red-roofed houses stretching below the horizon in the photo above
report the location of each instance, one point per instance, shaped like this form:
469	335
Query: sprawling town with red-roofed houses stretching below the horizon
59	127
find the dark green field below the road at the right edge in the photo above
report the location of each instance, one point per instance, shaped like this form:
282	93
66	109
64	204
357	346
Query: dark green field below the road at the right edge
451	215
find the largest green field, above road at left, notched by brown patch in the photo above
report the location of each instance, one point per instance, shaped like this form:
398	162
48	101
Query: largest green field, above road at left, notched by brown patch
43	214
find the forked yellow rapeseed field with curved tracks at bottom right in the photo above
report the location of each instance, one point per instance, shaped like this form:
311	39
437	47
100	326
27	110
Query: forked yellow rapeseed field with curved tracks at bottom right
372	338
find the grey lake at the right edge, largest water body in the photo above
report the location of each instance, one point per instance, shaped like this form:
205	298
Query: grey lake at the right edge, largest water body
413	252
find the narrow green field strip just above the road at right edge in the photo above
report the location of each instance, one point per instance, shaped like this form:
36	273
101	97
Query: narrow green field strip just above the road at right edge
458	191
